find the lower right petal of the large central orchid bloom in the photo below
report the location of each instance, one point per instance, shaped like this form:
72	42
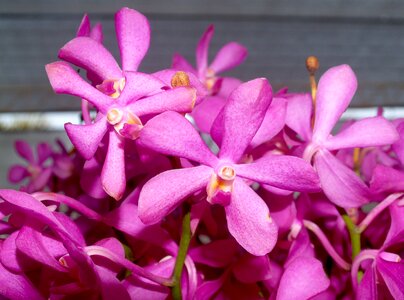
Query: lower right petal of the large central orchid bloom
249	221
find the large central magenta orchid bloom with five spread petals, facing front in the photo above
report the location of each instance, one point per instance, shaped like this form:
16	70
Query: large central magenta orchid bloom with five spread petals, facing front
248	217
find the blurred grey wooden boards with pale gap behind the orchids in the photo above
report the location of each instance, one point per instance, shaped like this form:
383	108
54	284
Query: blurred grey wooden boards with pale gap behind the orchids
279	34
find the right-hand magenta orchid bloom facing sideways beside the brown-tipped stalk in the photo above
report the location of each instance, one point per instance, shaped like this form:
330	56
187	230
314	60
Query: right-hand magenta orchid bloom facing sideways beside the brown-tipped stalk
335	91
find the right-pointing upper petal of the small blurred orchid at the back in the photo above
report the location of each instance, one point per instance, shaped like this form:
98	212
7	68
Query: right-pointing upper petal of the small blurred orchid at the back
229	56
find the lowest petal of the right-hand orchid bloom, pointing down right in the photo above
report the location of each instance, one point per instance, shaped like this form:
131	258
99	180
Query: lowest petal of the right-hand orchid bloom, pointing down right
341	185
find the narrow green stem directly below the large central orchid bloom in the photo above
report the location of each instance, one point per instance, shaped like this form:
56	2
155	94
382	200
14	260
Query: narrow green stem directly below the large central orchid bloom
182	253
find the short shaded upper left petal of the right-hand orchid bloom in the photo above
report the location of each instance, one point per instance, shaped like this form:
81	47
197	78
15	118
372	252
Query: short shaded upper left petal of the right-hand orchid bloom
298	115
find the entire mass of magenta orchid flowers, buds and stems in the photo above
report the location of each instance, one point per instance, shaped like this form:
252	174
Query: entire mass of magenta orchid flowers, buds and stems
189	184
